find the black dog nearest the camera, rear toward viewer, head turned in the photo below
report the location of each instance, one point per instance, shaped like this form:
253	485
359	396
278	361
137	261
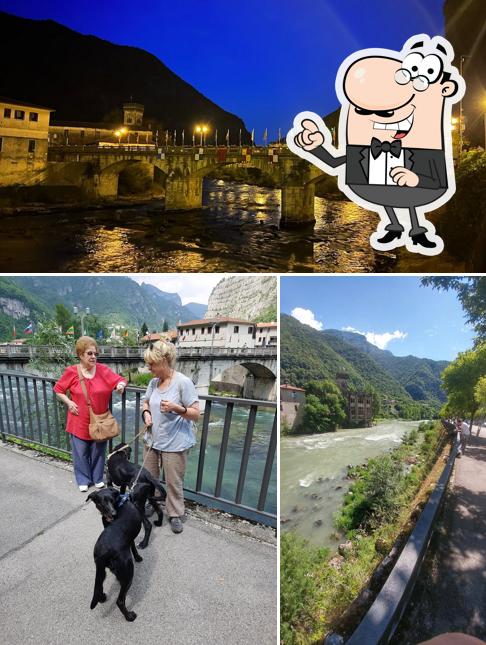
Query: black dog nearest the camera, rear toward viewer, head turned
116	544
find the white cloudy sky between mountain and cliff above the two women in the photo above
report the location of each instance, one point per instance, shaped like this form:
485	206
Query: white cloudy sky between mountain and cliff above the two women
195	287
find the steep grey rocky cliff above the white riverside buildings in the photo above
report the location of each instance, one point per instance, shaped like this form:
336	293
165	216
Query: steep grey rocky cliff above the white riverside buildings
249	297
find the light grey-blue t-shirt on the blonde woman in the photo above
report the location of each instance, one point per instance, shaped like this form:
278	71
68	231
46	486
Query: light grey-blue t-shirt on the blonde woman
170	431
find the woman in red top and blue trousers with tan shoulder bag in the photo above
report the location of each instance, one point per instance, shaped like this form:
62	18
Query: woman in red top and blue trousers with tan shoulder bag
88	455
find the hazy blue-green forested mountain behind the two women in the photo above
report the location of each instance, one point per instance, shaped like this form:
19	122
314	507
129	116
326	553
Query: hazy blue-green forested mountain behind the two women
116	299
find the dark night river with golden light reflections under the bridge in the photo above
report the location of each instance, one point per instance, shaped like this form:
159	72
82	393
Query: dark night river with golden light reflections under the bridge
236	231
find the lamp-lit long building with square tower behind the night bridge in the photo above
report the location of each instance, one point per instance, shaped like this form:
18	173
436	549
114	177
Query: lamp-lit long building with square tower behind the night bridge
76	133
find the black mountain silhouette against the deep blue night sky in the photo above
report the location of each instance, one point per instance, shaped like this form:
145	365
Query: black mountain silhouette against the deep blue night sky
84	78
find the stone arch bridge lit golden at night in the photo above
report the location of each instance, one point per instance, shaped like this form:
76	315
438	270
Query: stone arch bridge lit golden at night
181	171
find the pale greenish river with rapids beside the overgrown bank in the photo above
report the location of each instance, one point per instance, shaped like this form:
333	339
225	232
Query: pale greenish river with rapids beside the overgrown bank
313	474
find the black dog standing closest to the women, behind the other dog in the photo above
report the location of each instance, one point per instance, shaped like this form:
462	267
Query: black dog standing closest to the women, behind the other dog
123	473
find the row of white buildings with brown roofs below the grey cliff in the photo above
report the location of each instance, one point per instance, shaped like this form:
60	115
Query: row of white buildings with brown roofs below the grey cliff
229	333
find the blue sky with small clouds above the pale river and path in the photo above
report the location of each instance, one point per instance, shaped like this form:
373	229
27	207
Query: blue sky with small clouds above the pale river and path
420	320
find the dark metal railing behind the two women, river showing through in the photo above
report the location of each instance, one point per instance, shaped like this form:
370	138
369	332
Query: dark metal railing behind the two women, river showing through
232	467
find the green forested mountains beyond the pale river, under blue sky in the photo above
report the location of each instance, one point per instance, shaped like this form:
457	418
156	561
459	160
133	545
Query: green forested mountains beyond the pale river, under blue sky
307	354
